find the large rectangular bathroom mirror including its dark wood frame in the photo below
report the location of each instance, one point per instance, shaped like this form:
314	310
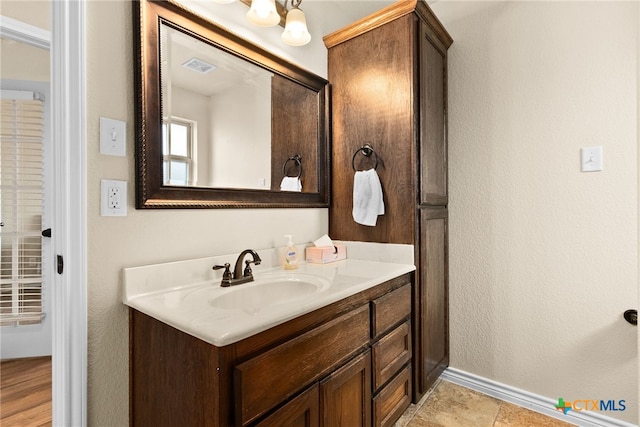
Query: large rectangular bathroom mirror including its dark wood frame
221	122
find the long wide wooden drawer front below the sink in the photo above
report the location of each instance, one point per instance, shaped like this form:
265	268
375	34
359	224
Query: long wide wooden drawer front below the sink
272	377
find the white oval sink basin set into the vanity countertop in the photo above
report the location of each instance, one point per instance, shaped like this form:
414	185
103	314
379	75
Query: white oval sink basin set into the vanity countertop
269	290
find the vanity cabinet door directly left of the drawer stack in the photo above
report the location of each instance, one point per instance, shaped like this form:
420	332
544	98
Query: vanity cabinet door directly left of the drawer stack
346	394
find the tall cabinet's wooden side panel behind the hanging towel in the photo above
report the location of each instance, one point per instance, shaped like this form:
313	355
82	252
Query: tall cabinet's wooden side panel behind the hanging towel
371	97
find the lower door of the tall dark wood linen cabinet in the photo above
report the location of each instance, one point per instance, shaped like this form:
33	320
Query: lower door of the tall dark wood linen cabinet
434	351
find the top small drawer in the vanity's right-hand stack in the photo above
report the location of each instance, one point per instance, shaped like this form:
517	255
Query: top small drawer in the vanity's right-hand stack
388	310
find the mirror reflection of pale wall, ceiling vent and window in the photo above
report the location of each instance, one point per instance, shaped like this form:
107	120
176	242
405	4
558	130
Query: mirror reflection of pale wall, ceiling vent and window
216	116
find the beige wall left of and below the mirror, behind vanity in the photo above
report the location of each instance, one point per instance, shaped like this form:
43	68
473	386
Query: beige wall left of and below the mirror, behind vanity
145	237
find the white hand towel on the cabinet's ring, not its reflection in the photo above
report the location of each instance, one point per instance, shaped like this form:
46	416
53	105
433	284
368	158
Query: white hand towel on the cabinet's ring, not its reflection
367	197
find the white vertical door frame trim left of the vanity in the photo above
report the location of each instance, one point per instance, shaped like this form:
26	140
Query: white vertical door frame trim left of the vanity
69	296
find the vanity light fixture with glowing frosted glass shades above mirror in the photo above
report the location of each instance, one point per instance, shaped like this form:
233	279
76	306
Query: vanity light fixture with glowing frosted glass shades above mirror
269	13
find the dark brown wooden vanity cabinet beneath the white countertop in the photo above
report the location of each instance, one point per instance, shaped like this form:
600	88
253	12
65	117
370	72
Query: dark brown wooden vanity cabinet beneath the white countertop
344	364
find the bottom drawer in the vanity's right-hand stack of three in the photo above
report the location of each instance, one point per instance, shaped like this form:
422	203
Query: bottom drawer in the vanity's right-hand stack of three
393	400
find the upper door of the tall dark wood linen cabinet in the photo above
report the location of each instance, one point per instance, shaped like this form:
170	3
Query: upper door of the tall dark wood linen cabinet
433	138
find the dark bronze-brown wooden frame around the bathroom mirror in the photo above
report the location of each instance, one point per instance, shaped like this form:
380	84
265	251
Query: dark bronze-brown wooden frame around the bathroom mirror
150	191
